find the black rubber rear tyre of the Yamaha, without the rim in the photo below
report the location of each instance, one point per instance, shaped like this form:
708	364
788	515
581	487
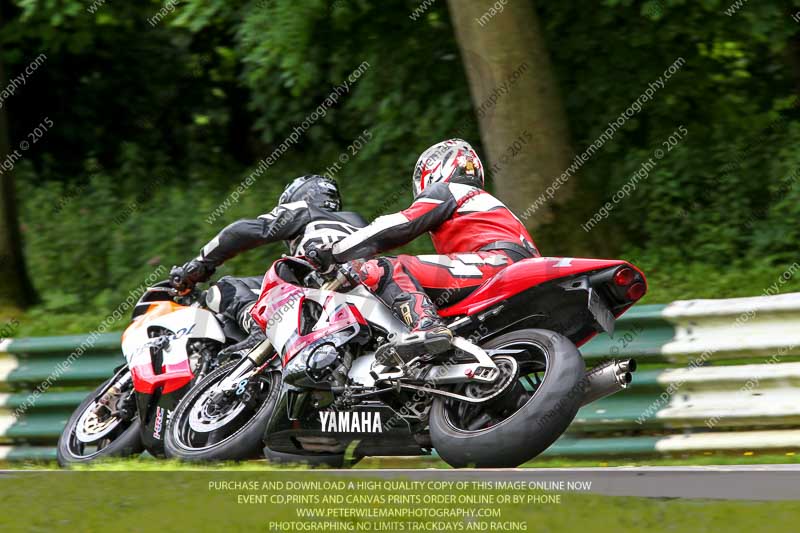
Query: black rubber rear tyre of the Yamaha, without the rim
534	426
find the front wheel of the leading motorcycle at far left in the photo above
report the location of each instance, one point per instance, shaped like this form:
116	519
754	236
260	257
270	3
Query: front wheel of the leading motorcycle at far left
115	436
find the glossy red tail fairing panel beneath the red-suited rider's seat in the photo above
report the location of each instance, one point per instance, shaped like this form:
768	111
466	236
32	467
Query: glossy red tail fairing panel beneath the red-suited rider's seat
524	275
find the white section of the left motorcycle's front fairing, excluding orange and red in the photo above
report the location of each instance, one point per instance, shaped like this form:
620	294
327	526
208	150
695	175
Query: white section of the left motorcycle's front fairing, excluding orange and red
186	324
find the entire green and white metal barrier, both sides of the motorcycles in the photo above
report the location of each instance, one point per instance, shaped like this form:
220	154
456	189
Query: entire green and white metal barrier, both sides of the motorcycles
714	375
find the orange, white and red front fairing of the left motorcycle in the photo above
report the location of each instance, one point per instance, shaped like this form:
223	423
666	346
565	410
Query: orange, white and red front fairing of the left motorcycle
186	324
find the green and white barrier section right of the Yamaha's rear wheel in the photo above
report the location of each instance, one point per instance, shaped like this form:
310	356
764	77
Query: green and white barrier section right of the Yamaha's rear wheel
714	375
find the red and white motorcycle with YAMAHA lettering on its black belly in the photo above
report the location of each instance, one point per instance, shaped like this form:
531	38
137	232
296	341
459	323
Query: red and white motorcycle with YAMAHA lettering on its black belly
328	378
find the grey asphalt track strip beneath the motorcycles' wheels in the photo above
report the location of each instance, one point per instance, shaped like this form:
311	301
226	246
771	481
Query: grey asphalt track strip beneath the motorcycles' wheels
729	482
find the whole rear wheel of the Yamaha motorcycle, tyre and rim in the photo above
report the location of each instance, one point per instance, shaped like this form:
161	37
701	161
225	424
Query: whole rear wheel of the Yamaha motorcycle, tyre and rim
527	418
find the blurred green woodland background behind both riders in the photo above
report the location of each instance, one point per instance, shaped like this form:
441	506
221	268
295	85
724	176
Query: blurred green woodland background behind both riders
159	111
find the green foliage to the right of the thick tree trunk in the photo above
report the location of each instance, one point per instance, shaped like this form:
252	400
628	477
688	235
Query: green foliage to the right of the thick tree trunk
712	200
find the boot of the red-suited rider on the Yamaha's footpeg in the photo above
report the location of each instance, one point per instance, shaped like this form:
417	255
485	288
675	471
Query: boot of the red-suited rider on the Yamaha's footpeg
428	335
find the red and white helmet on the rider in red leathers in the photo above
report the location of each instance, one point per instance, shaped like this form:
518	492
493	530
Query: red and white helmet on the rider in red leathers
450	161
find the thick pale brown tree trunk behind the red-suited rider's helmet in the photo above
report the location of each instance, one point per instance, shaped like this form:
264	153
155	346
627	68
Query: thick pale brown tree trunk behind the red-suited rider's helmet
521	116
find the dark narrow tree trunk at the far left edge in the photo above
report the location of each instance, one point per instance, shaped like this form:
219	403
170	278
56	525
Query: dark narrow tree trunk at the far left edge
15	286
